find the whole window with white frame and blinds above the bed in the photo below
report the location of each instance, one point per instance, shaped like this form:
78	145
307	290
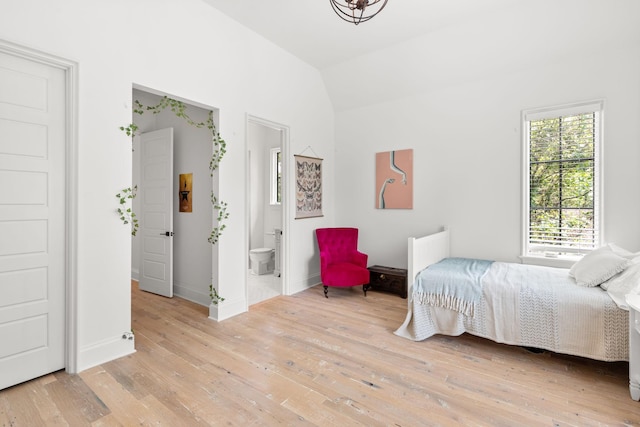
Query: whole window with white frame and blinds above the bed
562	179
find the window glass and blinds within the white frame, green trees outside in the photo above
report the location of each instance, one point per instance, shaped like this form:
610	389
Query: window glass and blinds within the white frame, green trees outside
562	182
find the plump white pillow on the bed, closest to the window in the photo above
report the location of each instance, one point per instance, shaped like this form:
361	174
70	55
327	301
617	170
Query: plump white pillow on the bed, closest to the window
598	266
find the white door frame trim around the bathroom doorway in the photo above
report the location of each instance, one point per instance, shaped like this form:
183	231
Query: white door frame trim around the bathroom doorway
286	215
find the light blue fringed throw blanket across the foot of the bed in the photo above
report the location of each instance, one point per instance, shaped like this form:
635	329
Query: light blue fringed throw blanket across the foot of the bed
453	283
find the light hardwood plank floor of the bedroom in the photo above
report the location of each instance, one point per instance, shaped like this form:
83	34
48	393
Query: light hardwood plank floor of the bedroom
307	360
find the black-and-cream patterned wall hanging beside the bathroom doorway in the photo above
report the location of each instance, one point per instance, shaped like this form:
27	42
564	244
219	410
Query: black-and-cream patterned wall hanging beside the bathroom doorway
308	187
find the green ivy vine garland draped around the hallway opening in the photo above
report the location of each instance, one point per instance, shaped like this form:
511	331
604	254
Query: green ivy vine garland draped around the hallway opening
126	195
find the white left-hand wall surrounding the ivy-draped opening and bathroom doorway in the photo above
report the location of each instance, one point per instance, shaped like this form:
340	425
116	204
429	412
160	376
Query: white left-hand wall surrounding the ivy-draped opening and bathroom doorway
188	49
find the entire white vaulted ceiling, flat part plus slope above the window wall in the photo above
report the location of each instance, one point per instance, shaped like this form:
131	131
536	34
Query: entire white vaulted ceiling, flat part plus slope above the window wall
419	45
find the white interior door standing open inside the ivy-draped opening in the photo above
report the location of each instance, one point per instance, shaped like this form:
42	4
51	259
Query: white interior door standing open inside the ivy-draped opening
156	216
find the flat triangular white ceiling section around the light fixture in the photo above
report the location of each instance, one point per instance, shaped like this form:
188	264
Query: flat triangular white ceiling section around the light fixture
313	32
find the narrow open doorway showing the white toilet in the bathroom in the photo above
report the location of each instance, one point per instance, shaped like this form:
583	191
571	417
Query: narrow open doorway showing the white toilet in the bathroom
266	205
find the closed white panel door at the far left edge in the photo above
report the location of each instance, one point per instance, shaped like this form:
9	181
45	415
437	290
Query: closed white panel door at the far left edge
32	219
